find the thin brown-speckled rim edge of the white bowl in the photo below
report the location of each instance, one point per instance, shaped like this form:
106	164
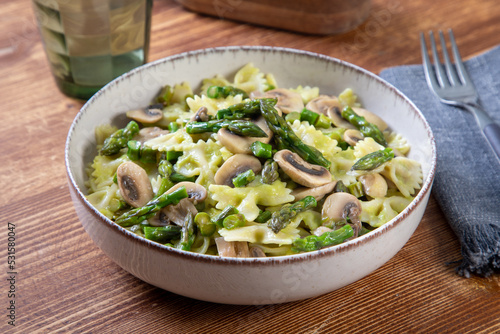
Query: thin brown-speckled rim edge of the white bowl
276	260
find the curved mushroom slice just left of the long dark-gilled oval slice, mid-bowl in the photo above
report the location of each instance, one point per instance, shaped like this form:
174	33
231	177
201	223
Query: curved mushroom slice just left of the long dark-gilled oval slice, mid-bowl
237	164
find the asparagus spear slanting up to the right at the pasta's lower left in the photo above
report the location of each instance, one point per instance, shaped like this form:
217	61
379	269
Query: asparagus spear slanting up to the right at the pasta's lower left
138	215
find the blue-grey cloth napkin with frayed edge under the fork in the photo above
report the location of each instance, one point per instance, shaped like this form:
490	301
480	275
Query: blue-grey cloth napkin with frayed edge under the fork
467	182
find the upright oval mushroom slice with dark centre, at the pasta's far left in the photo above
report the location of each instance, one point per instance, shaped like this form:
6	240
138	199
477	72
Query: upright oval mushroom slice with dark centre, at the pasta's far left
134	184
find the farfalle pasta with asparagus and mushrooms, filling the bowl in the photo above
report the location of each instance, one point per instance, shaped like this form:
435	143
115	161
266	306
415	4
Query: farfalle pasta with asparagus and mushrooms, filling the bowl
246	167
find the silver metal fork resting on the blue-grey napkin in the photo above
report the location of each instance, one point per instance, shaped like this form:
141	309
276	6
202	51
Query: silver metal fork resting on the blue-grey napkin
453	85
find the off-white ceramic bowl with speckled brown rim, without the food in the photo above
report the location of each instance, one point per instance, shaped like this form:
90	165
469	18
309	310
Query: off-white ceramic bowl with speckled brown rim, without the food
248	280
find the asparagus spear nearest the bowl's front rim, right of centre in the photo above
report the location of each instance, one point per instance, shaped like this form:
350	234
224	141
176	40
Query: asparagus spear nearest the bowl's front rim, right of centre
313	242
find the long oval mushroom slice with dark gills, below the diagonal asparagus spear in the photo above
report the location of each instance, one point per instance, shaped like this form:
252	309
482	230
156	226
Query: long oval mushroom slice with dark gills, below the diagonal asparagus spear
301	171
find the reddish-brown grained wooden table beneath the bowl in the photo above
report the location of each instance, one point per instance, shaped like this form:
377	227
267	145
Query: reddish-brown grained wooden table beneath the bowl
64	283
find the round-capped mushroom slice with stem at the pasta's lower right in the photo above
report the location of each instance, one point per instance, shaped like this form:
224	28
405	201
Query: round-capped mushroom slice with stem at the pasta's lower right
339	206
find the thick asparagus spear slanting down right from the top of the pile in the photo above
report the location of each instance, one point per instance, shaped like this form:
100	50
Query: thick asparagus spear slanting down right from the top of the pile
285	138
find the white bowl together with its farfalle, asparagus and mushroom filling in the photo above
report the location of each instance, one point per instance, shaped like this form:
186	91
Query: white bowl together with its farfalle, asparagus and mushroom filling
250	175
